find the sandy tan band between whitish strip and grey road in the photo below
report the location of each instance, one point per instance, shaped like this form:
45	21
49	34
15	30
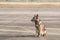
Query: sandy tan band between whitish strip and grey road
29	5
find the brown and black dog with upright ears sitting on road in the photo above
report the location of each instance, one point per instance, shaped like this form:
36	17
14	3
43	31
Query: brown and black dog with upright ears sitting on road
40	29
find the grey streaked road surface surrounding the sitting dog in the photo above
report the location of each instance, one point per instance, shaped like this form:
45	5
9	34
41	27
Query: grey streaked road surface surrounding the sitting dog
15	23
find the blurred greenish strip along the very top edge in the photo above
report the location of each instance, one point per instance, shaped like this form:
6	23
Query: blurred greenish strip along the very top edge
30	0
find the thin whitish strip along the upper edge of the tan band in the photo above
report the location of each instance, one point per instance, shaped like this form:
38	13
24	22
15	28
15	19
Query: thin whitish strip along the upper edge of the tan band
30	3
